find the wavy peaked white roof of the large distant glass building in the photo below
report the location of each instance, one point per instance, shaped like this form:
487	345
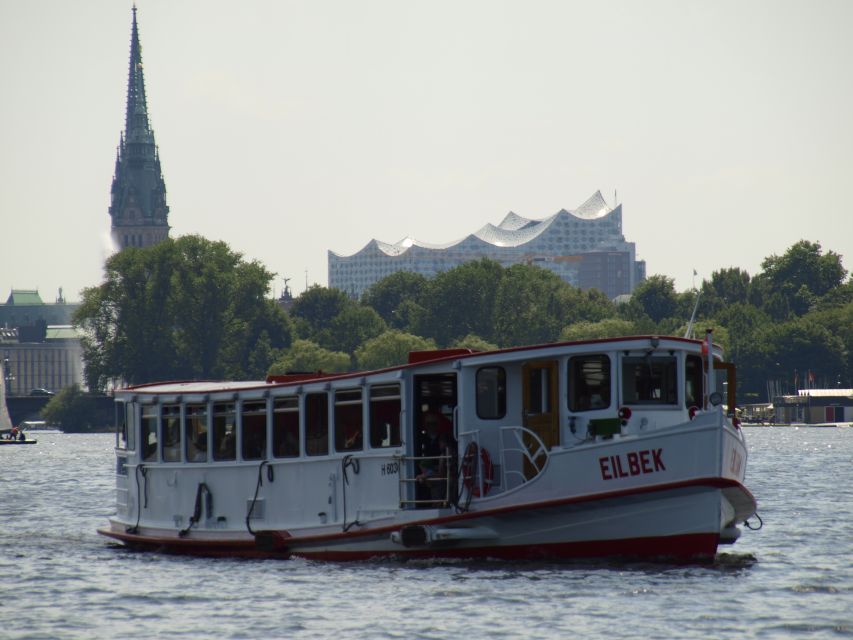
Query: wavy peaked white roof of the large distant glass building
513	231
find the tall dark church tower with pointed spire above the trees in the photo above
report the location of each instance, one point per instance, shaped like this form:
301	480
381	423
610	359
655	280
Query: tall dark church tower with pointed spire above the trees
140	215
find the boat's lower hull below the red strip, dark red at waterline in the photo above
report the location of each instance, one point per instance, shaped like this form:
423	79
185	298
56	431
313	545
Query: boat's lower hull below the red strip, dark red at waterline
680	523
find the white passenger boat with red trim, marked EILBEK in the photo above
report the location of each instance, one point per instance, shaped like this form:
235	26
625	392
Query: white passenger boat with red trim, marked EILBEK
603	448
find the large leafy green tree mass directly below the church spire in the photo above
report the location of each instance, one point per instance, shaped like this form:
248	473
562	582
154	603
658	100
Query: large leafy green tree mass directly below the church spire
186	308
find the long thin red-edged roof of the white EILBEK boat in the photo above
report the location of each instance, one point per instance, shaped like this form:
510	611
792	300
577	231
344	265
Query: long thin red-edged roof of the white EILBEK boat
416	359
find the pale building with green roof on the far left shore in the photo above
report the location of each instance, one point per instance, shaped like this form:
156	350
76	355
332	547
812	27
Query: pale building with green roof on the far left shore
38	346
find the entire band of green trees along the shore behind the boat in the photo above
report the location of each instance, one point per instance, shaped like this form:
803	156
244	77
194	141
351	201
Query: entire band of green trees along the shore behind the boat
190	308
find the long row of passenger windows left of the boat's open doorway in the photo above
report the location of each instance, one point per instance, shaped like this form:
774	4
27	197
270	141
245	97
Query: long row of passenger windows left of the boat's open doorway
165	432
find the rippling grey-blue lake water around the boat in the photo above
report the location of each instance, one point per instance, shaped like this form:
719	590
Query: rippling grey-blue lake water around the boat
59	579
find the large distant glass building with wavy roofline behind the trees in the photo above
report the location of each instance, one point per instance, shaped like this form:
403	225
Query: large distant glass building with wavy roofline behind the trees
585	247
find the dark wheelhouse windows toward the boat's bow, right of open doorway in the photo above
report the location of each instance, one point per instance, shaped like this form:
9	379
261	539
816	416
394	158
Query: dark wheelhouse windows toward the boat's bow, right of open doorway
646	380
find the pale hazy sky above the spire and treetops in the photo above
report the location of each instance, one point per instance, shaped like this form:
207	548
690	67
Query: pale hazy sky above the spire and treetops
290	128
